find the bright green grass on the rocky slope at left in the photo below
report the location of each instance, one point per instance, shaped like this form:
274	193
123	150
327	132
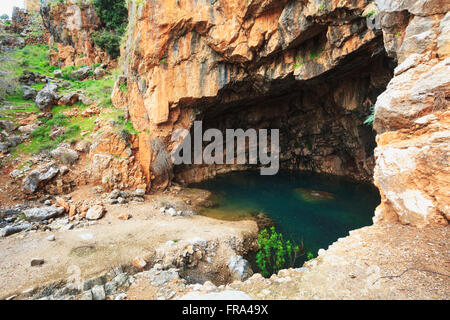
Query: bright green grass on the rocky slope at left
35	58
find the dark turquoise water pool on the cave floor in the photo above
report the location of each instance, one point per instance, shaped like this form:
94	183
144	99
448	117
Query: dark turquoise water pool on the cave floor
313	208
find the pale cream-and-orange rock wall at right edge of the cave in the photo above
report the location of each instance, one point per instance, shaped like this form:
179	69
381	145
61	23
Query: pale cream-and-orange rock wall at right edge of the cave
412	116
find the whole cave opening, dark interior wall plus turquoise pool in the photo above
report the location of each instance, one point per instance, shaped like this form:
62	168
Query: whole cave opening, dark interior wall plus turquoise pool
324	188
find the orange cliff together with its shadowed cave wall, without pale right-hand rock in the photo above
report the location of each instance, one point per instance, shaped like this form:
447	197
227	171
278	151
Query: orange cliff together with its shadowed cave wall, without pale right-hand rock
311	68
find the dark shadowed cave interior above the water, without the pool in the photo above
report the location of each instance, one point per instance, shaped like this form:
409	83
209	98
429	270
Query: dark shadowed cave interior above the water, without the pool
322	122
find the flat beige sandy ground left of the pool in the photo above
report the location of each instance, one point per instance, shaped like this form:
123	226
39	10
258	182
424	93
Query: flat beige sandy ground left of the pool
100	247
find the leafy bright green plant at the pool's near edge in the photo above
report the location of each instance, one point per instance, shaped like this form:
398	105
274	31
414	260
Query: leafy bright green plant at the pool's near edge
274	253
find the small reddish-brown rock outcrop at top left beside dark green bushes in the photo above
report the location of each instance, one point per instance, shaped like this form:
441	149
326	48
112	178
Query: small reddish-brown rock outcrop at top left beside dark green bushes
71	24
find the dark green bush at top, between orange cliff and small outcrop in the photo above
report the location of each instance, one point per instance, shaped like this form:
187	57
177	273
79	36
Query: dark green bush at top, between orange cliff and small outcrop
114	16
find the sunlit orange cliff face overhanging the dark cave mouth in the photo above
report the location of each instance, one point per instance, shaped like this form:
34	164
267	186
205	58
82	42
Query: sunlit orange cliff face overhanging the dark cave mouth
203	54
